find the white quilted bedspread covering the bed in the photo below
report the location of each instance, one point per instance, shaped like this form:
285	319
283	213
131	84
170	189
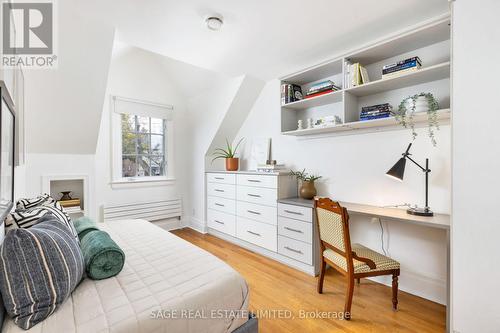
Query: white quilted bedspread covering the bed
162	272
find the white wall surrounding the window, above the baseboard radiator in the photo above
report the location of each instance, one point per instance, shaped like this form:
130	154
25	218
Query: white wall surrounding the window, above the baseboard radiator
138	74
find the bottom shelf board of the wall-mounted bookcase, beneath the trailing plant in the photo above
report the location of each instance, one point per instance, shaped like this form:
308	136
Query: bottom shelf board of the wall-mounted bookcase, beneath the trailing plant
443	114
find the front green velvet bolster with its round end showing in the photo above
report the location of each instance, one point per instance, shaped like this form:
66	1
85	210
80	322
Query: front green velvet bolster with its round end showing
103	258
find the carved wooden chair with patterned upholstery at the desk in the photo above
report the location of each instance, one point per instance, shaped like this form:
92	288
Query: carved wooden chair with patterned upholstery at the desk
353	261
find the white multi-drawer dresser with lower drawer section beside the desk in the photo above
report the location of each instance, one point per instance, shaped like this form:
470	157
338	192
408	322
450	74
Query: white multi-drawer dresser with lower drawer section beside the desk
243	208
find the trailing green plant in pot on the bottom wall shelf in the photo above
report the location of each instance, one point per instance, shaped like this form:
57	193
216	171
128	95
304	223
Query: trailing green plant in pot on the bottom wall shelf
423	102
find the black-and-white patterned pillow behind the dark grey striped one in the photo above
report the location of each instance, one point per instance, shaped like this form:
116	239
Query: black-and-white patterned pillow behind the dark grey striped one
28	217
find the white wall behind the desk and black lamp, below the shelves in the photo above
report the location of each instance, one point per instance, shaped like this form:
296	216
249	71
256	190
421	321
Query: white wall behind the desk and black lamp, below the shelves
353	169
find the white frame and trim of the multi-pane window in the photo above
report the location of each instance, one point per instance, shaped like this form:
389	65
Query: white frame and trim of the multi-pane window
121	105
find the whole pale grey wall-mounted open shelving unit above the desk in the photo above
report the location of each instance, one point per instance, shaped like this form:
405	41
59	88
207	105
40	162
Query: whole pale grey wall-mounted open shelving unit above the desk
430	42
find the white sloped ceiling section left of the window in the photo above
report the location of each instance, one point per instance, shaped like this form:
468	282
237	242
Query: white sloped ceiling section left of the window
64	105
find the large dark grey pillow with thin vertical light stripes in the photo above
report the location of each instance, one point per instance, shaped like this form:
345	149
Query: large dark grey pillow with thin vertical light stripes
39	268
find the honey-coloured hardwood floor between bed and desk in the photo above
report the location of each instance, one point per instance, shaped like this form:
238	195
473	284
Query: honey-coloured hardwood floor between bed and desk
274	286
